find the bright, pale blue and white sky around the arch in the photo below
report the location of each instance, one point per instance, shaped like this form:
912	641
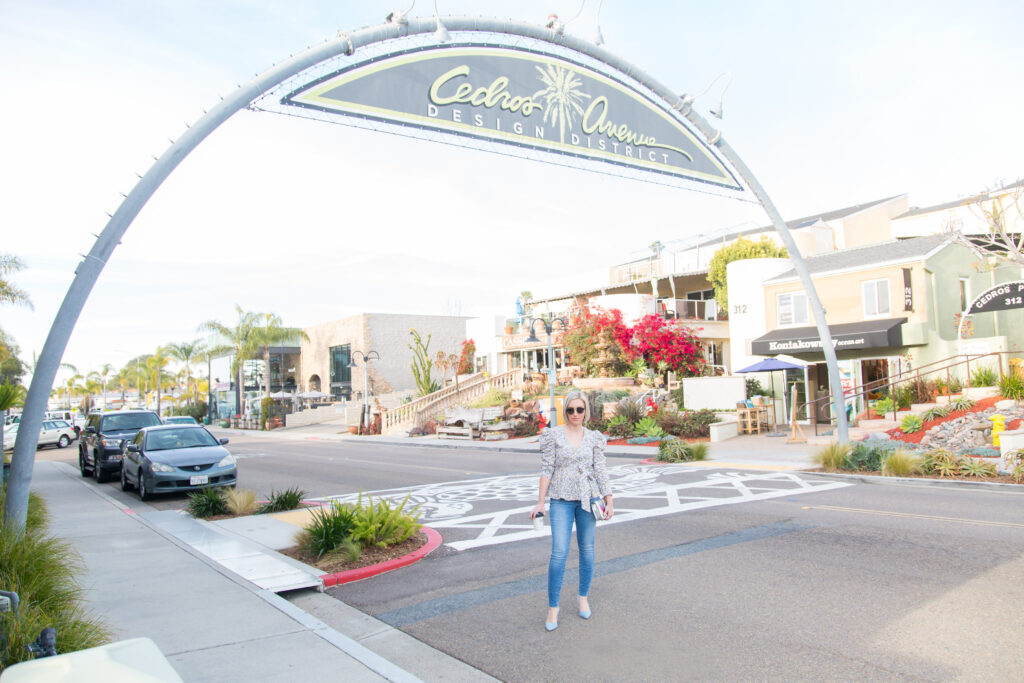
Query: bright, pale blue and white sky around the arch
830	105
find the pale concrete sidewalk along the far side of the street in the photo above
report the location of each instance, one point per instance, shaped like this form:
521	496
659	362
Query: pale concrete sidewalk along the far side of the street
750	452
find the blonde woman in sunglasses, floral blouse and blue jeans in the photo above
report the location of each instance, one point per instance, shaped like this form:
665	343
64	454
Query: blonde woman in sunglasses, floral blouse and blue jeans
573	473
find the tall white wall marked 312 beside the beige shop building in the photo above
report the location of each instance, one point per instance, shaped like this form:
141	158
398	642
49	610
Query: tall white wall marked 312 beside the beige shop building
747	305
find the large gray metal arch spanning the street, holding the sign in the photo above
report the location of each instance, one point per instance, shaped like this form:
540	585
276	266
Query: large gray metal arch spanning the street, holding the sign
89	271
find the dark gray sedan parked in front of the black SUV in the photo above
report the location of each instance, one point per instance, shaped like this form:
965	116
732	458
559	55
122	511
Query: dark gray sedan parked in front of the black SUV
173	458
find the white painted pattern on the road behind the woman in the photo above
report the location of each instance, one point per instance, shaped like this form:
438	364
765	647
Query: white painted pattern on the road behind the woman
493	510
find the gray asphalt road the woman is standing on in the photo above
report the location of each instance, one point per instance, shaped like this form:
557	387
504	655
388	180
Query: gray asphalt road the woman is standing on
747	579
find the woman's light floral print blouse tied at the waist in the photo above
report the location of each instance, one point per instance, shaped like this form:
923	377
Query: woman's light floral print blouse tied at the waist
577	474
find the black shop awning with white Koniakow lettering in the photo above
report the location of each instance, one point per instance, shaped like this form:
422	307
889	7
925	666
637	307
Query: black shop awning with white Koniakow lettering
848	336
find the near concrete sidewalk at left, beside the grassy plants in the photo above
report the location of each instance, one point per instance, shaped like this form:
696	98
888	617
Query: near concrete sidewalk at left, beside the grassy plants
209	622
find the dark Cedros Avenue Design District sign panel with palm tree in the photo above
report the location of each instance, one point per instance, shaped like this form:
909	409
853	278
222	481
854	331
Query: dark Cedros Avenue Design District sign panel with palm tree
521	98
